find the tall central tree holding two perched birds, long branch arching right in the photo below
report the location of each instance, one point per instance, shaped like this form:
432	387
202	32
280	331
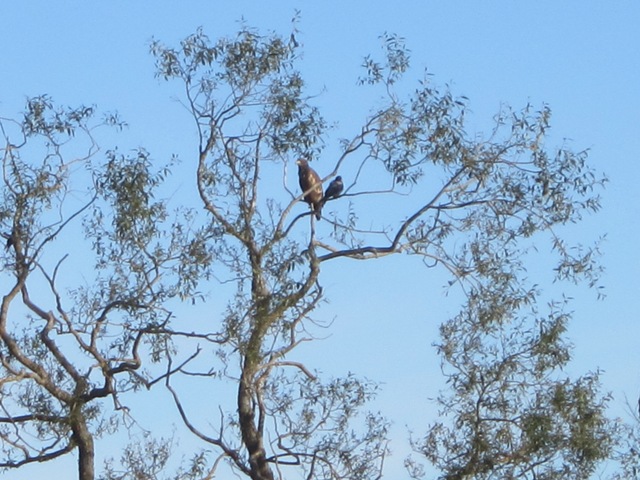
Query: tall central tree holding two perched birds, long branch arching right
475	206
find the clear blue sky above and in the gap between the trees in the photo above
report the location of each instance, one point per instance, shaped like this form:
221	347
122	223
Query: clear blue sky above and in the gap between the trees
581	58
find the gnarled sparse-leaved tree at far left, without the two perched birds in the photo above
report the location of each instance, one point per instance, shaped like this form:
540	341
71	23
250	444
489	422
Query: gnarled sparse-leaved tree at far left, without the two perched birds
87	246
